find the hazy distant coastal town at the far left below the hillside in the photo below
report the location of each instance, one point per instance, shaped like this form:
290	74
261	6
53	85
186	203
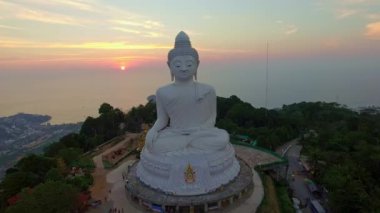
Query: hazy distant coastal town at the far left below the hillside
22	134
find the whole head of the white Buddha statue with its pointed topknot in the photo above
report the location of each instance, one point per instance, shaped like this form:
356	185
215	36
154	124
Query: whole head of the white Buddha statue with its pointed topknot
183	60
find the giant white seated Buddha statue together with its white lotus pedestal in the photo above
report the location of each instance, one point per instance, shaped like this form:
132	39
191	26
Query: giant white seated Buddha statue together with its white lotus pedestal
184	152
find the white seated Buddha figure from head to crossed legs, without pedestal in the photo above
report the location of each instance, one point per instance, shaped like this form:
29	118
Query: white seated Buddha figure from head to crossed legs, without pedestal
186	109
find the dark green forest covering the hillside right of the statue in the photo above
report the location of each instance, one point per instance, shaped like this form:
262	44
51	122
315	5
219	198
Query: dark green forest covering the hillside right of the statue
344	153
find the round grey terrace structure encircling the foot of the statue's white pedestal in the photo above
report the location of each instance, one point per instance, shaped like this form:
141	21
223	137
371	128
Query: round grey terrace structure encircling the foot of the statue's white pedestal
156	200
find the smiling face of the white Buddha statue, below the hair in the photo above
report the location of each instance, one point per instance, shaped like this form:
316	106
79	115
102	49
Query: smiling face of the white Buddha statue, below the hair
183	67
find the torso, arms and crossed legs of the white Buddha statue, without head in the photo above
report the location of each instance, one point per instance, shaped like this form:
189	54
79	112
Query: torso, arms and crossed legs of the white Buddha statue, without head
189	112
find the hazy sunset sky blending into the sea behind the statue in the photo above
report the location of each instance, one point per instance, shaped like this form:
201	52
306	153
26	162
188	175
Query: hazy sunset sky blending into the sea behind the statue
66	57
